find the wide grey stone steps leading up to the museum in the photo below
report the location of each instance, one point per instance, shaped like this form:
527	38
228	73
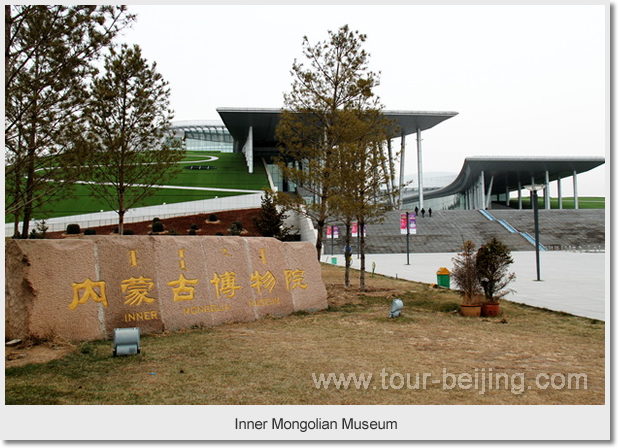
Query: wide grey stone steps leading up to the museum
446	231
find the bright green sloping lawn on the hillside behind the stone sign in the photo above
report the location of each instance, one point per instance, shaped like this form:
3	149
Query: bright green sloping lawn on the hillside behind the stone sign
230	171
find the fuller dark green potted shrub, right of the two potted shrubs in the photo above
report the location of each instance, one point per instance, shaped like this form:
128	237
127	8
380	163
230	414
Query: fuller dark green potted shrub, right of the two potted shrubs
492	262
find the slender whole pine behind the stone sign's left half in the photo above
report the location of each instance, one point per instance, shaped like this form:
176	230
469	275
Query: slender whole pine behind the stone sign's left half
129	131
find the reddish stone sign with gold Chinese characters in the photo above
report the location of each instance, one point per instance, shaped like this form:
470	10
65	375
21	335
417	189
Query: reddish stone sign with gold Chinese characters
83	288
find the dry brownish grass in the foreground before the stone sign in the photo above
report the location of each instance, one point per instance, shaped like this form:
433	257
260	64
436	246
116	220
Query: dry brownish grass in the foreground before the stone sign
273	361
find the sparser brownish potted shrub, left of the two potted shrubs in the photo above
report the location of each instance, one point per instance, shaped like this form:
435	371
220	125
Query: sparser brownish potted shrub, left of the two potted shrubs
464	275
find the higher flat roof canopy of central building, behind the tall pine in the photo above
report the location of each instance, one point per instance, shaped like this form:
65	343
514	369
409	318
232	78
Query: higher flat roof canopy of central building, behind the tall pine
264	123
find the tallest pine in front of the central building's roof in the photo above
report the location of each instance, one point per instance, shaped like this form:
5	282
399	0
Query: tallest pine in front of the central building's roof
315	123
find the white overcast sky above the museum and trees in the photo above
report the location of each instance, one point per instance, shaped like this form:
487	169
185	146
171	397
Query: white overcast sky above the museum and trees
525	80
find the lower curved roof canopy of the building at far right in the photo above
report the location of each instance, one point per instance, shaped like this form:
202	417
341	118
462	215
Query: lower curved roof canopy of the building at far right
510	172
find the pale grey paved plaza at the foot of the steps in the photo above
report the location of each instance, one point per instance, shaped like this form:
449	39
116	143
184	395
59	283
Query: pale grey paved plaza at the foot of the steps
573	282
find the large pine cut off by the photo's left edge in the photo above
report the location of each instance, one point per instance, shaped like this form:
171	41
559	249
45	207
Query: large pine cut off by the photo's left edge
49	50
